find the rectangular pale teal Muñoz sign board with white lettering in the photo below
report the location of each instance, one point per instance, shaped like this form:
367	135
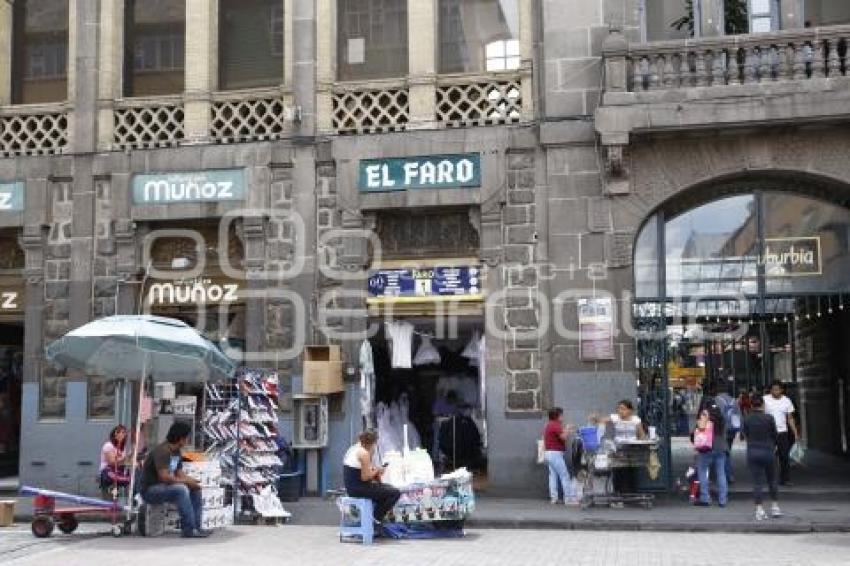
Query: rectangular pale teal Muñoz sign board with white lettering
195	186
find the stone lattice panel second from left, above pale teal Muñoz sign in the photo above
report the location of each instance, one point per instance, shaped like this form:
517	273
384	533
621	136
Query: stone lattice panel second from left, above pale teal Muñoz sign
147	127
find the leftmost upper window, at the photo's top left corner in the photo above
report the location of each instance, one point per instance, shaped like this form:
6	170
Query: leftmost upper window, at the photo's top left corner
40	51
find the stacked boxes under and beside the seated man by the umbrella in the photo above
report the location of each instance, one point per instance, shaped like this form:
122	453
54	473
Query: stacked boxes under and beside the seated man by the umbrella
162	519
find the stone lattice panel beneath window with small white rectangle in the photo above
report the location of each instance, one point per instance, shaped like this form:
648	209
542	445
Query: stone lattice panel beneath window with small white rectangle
371	111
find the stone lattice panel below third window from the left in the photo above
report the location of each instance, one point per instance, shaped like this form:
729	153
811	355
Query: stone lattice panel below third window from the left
248	120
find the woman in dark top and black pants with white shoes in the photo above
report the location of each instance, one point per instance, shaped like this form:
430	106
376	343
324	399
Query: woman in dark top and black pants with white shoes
760	432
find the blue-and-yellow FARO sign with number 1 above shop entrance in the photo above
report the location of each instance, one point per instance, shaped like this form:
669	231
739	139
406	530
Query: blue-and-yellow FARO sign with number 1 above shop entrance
428	282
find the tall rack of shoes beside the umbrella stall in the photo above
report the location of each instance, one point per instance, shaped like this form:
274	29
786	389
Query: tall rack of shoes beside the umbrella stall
240	424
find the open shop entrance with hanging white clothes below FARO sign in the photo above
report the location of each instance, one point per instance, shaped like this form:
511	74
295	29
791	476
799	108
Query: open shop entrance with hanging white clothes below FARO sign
439	397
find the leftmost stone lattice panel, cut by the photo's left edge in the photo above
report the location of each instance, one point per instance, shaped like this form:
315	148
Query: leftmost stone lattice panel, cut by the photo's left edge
33	134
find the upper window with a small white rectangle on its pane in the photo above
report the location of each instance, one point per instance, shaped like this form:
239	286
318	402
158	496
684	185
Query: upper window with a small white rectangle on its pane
372	39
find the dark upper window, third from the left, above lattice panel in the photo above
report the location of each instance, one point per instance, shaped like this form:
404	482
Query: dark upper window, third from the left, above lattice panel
250	43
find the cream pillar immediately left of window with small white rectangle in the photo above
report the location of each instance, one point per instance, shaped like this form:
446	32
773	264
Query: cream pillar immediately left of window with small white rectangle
326	63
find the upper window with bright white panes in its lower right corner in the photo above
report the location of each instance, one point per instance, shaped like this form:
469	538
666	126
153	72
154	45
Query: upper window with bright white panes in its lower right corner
479	35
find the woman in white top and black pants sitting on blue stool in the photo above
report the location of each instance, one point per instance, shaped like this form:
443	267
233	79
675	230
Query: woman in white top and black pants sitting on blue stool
363	479
